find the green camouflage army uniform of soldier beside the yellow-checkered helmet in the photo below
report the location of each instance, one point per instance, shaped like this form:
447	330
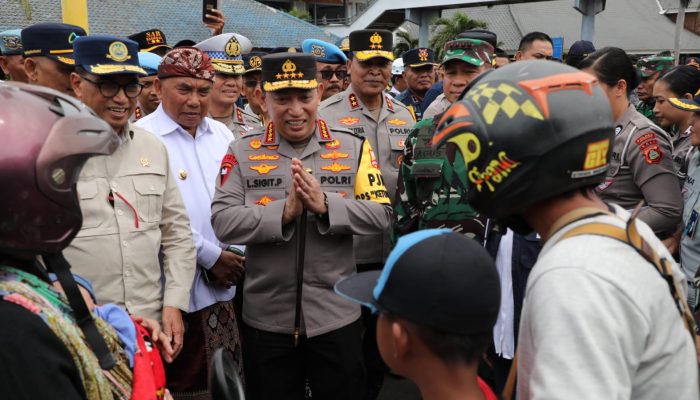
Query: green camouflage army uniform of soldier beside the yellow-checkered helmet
432	188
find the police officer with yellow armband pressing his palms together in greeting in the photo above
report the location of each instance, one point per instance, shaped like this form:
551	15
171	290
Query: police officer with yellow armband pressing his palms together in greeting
268	179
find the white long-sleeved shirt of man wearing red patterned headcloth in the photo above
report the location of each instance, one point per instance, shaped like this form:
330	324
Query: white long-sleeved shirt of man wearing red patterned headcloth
196	163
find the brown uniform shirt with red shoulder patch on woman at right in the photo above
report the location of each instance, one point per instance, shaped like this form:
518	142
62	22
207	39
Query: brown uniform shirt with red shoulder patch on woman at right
642	169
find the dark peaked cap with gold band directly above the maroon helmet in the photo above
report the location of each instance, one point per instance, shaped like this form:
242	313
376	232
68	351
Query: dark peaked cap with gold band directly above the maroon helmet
52	40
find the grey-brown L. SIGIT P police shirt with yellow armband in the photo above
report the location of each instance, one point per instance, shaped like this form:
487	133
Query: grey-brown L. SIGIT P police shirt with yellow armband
248	206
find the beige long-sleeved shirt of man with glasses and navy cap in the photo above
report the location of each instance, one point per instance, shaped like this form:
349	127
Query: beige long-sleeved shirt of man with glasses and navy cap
131	207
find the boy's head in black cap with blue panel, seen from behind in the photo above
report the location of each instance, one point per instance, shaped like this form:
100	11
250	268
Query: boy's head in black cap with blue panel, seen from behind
438	297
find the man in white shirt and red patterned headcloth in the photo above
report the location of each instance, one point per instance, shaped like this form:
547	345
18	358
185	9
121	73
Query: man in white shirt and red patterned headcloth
196	145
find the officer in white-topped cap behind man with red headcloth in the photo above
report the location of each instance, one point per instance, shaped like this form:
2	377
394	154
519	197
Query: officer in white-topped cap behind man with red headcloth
225	53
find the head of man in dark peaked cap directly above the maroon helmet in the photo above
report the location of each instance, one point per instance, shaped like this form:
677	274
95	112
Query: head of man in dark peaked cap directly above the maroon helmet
48	53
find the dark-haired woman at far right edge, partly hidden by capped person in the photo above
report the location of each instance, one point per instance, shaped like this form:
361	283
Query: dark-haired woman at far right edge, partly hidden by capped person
679	83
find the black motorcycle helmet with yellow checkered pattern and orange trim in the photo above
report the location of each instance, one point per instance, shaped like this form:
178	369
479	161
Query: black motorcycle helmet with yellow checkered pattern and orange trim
527	132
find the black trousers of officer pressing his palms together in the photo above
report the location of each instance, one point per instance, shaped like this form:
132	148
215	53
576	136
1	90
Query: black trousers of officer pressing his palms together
332	362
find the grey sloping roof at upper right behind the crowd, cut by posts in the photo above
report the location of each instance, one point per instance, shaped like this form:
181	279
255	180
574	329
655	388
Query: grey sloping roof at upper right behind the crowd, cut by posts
634	25
